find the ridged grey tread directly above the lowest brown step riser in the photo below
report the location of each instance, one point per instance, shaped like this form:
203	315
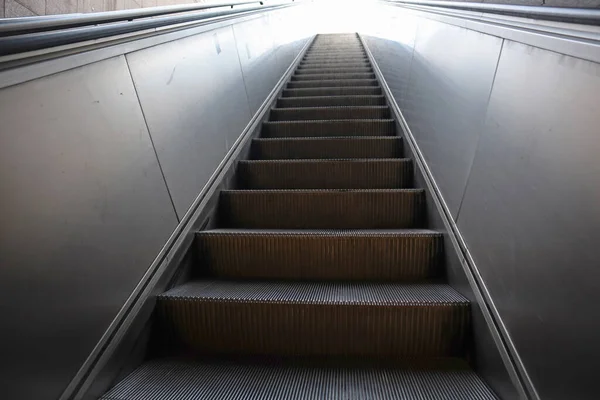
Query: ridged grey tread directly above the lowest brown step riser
339	293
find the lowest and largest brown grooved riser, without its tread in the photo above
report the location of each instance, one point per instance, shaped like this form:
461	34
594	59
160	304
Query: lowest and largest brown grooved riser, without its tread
232	327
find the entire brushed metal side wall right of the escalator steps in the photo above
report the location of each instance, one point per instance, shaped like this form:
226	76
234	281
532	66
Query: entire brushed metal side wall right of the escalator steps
510	132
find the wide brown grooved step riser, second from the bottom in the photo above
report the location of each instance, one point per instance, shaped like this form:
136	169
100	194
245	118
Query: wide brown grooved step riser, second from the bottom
346	255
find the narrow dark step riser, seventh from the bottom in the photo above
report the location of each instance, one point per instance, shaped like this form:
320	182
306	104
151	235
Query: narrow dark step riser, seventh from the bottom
329	113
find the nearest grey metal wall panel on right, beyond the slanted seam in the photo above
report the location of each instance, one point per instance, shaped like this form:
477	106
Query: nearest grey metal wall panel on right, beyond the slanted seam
530	214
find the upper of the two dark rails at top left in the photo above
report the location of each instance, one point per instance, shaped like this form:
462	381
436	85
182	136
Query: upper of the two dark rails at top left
42	24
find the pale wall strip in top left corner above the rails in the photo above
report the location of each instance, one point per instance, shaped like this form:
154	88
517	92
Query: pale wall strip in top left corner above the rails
30	8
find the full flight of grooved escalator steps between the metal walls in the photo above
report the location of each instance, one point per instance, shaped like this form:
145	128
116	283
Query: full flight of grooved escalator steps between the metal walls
322	281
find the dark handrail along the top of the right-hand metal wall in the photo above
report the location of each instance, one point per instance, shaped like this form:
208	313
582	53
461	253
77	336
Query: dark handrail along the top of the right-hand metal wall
575	15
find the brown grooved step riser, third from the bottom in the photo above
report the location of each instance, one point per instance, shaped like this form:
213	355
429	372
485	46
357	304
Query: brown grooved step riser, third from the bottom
322	209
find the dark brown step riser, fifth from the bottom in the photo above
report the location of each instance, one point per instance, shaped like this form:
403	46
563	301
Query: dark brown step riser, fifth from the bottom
327	148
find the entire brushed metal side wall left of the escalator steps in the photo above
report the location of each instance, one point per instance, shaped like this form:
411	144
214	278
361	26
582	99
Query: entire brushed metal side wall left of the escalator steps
85	207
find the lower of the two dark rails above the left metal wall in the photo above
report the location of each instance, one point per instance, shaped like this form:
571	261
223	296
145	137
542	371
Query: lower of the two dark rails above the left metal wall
43	40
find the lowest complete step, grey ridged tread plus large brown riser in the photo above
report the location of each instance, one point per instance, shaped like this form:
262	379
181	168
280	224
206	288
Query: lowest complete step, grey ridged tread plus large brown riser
316	318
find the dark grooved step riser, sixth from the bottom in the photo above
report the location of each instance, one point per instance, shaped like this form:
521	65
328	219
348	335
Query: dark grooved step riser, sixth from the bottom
357	127
